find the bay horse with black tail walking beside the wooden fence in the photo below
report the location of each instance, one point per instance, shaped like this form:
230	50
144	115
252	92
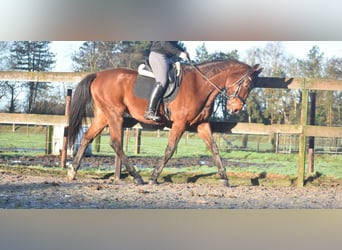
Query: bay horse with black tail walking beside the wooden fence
112	94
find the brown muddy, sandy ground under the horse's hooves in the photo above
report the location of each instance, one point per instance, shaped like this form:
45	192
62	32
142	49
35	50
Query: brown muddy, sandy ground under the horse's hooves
24	187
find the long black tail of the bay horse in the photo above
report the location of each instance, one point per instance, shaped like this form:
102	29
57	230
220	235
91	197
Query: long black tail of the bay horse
78	107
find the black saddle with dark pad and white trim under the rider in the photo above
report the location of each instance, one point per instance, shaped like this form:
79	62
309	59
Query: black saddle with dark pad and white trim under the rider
145	81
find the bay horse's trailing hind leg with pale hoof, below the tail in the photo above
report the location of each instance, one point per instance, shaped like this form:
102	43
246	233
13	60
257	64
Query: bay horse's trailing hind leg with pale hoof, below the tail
96	127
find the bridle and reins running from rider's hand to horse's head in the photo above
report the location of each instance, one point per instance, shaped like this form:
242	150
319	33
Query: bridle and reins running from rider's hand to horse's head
224	91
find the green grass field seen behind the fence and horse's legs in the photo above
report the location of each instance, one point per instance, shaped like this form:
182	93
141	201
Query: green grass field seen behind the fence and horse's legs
256	158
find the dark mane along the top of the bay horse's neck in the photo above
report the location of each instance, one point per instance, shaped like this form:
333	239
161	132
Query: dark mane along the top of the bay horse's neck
213	67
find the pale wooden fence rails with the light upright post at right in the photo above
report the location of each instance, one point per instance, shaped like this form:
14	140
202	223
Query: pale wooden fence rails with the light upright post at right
302	129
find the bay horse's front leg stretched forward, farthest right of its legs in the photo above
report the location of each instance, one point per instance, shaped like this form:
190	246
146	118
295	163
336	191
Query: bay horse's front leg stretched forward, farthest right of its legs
204	131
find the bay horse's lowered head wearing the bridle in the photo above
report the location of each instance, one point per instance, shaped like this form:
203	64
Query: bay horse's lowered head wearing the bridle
239	87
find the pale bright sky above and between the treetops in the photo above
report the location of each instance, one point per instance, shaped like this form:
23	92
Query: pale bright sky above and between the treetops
297	49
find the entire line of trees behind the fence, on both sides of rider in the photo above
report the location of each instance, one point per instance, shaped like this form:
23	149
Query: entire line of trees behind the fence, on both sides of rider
268	106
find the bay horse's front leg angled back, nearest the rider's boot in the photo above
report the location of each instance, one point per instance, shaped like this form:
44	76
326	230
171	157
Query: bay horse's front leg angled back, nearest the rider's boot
174	137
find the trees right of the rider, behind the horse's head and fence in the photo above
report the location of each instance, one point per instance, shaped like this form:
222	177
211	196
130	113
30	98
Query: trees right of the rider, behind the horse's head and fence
282	106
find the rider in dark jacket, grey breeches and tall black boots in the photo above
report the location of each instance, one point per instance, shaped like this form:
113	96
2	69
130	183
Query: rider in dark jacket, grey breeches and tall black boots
160	54
